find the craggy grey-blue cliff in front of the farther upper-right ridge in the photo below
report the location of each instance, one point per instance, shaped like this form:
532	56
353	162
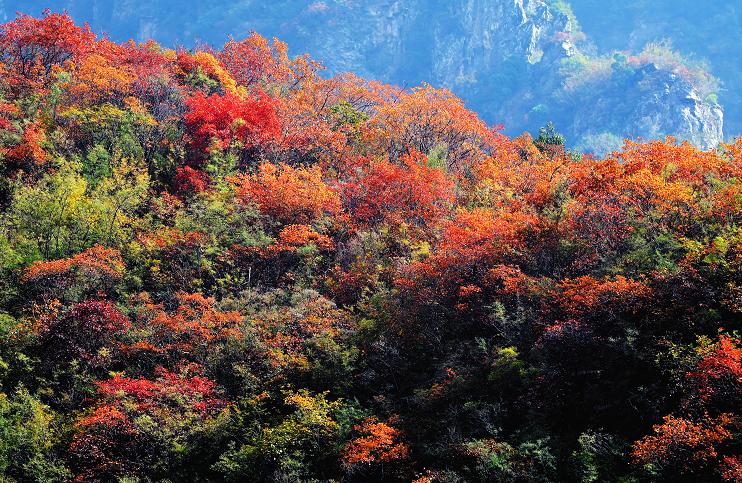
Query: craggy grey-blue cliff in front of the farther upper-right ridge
514	61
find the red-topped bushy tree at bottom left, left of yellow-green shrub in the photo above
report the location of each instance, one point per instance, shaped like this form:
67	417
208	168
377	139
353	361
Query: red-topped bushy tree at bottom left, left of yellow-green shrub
137	423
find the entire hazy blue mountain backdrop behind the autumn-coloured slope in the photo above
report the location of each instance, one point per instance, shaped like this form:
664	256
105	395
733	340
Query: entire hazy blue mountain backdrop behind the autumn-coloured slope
520	63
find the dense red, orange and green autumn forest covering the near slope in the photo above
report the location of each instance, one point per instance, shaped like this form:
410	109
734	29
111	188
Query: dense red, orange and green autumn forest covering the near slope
225	265
